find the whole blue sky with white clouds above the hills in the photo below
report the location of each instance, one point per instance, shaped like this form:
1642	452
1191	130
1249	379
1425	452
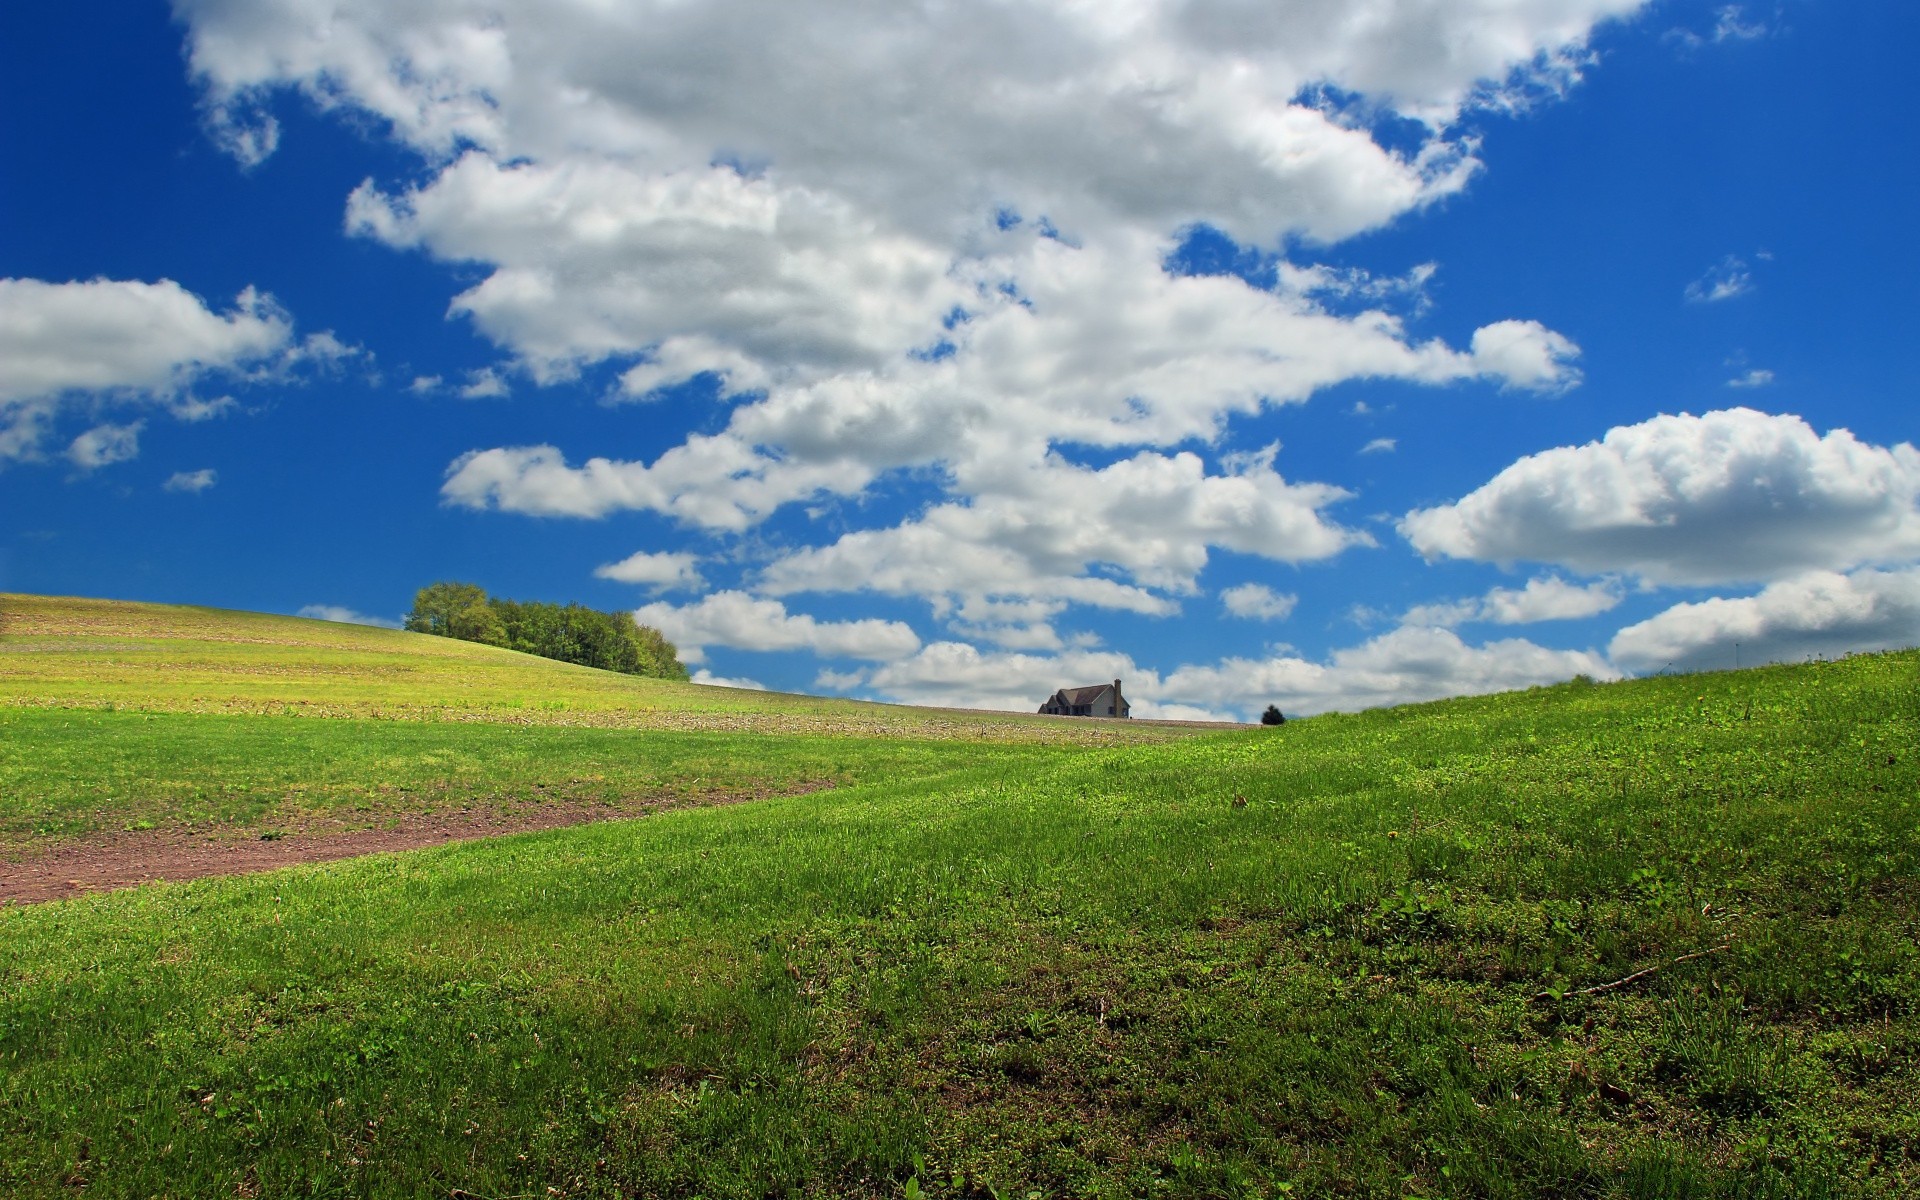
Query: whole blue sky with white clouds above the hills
1316	354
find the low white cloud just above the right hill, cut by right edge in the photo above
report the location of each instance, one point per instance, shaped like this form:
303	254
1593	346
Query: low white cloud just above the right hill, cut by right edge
1815	615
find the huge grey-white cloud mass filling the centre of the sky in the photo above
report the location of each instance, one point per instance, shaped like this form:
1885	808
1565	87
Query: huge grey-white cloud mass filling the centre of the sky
924	239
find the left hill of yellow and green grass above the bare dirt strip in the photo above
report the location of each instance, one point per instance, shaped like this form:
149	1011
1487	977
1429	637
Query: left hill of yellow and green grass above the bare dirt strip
160	717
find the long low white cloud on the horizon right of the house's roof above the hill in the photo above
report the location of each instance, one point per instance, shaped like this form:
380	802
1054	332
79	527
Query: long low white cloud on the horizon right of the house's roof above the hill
1399	667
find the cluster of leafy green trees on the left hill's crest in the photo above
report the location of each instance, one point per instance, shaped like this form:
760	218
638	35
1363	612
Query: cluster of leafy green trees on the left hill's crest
565	633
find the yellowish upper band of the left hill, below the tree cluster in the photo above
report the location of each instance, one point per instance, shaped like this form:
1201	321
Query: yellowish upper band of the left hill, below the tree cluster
70	652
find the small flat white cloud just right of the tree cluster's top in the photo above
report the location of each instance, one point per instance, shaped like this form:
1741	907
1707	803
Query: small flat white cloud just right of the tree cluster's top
742	621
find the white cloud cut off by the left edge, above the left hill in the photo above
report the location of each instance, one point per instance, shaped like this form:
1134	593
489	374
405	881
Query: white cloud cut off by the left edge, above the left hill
128	343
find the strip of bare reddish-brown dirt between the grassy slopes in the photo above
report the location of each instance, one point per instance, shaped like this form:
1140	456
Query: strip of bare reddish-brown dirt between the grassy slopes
114	859
